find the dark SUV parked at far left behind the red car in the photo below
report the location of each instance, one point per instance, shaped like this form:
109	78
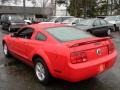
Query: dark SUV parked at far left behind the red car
12	22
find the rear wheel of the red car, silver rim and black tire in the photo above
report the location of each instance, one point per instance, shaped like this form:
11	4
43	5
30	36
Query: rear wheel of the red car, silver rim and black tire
41	71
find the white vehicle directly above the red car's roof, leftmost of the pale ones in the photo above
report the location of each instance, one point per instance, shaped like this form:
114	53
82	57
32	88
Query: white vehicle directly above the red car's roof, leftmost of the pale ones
58	19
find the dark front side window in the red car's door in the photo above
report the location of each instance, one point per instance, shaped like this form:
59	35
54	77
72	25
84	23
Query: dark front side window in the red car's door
25	33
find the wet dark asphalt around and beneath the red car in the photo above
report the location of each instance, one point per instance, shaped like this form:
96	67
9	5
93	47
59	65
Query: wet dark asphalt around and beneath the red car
15	75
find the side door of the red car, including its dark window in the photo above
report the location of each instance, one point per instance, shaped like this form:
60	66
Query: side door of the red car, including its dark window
20	42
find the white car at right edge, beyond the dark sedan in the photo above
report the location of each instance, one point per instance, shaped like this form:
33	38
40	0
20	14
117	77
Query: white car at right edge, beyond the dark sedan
115	20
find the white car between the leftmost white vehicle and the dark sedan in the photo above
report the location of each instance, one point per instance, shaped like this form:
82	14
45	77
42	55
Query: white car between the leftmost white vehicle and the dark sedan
72	21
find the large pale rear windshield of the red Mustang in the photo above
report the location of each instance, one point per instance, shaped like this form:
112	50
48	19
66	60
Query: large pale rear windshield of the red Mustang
65	34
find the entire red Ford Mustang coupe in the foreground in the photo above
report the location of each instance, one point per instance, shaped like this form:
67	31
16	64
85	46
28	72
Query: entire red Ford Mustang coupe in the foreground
60	51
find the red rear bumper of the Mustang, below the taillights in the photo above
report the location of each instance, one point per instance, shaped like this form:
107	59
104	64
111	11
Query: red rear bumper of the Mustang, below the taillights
78	72
